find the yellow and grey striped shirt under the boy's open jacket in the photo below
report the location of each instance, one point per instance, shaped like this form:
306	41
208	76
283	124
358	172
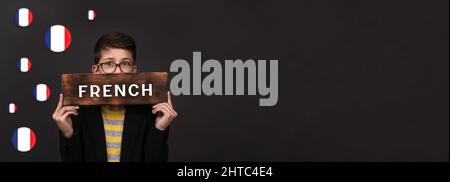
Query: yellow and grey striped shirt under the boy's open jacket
113	125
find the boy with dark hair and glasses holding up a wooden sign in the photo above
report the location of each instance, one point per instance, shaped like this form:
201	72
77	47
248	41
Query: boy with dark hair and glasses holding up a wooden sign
114	133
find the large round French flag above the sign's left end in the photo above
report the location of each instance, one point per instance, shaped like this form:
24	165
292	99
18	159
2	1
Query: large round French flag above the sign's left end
58	38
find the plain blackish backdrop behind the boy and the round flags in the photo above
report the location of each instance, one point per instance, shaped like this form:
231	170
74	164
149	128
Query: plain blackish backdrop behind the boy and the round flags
358	80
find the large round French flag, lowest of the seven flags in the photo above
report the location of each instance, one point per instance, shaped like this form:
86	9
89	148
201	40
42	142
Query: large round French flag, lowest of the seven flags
24	139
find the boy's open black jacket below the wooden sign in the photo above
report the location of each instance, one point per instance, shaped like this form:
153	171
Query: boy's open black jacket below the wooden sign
141	141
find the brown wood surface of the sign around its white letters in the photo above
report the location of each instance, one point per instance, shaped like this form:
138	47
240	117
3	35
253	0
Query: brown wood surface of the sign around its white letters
70	83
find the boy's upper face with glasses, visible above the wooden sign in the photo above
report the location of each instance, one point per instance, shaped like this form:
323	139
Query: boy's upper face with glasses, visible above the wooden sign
114	60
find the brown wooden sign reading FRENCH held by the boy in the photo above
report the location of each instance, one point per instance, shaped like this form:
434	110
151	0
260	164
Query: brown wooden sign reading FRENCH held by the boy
114	89
